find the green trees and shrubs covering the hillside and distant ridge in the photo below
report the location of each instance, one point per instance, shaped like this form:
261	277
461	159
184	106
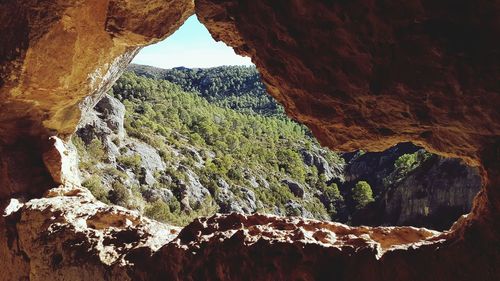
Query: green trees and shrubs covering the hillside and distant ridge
227	130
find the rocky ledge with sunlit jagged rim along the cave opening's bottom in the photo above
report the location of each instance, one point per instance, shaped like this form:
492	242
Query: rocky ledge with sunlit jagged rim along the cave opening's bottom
68	235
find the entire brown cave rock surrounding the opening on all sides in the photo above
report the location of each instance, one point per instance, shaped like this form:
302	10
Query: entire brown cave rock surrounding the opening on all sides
360	75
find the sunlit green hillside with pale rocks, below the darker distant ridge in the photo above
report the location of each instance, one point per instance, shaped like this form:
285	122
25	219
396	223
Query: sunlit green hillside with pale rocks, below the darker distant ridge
211	158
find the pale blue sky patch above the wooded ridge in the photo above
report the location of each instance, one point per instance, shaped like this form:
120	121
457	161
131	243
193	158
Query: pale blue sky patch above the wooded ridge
190	46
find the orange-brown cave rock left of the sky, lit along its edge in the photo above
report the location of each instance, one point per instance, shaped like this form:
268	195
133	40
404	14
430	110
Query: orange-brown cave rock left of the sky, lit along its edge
54	54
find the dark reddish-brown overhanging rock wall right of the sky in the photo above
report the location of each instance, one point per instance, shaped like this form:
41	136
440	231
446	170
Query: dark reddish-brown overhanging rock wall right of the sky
369	74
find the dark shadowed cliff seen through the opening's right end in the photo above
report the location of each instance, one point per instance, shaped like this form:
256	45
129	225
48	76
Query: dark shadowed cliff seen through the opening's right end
432	193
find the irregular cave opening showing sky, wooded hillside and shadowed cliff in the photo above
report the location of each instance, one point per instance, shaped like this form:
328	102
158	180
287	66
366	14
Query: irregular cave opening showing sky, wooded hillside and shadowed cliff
189	130
